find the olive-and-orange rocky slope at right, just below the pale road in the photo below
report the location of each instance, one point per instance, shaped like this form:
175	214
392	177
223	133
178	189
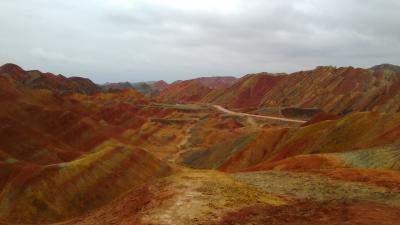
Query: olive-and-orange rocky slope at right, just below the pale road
356	131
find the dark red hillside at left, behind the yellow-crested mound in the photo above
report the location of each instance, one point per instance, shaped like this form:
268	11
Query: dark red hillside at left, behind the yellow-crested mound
38	126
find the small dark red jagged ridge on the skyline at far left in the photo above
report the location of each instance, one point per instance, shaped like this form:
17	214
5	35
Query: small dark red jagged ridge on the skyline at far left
38	80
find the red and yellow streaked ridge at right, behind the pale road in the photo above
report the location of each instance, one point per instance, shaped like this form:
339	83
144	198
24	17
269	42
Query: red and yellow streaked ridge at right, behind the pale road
333	90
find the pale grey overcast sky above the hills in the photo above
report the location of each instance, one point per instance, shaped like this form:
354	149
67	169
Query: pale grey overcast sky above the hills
140	40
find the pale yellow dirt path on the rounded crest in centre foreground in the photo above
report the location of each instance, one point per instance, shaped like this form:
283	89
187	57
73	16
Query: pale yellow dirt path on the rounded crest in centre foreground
191	197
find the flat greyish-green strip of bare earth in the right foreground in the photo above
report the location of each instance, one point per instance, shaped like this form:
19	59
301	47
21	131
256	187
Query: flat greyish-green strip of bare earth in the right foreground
318	188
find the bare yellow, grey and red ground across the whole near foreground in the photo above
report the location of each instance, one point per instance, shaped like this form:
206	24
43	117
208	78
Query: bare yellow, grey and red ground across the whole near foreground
194	197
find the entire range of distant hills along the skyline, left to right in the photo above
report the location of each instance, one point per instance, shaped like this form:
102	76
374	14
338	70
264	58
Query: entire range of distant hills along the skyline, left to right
330	89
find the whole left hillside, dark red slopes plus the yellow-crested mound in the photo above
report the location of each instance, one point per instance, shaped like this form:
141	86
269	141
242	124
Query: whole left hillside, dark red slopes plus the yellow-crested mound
61	155
